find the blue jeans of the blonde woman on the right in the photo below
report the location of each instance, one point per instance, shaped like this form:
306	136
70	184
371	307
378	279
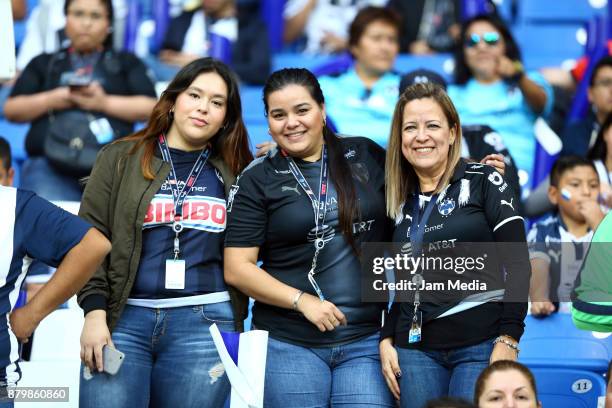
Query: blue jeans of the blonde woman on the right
429	374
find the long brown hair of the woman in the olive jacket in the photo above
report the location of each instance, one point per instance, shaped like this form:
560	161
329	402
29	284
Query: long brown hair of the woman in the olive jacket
231	143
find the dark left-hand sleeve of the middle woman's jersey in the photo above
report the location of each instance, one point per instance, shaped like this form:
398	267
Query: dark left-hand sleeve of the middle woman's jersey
246	209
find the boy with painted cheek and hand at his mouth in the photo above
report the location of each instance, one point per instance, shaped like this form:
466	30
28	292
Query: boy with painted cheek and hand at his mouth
557	245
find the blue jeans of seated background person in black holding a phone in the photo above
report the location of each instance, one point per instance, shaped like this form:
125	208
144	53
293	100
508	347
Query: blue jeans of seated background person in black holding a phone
39	176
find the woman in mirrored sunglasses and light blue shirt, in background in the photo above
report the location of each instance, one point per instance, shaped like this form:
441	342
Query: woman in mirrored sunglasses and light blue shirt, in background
493	88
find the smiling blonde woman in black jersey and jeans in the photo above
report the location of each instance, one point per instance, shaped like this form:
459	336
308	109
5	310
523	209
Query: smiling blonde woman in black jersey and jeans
428	184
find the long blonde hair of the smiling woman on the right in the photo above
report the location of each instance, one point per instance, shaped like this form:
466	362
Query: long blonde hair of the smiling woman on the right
400	176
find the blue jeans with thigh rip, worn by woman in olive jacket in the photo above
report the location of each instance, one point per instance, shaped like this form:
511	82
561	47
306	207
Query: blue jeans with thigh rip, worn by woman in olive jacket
170	360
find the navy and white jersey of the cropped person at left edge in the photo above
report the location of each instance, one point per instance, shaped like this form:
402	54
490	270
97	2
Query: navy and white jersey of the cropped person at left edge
30	228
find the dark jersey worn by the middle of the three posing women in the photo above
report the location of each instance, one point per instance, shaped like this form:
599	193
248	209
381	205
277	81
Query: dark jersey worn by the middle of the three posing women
271	211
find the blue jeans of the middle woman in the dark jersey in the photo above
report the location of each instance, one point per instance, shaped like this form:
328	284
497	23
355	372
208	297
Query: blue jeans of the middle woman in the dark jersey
347	375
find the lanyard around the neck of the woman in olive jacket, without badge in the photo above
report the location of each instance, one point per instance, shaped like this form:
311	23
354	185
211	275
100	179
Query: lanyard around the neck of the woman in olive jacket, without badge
179	194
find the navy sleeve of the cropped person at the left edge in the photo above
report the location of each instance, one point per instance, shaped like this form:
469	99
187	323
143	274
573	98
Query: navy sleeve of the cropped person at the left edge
49	232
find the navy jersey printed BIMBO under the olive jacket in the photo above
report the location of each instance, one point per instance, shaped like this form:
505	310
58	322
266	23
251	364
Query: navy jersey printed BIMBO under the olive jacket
201	241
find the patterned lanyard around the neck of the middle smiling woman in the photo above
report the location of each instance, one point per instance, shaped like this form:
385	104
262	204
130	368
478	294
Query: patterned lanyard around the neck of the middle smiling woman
319	206
